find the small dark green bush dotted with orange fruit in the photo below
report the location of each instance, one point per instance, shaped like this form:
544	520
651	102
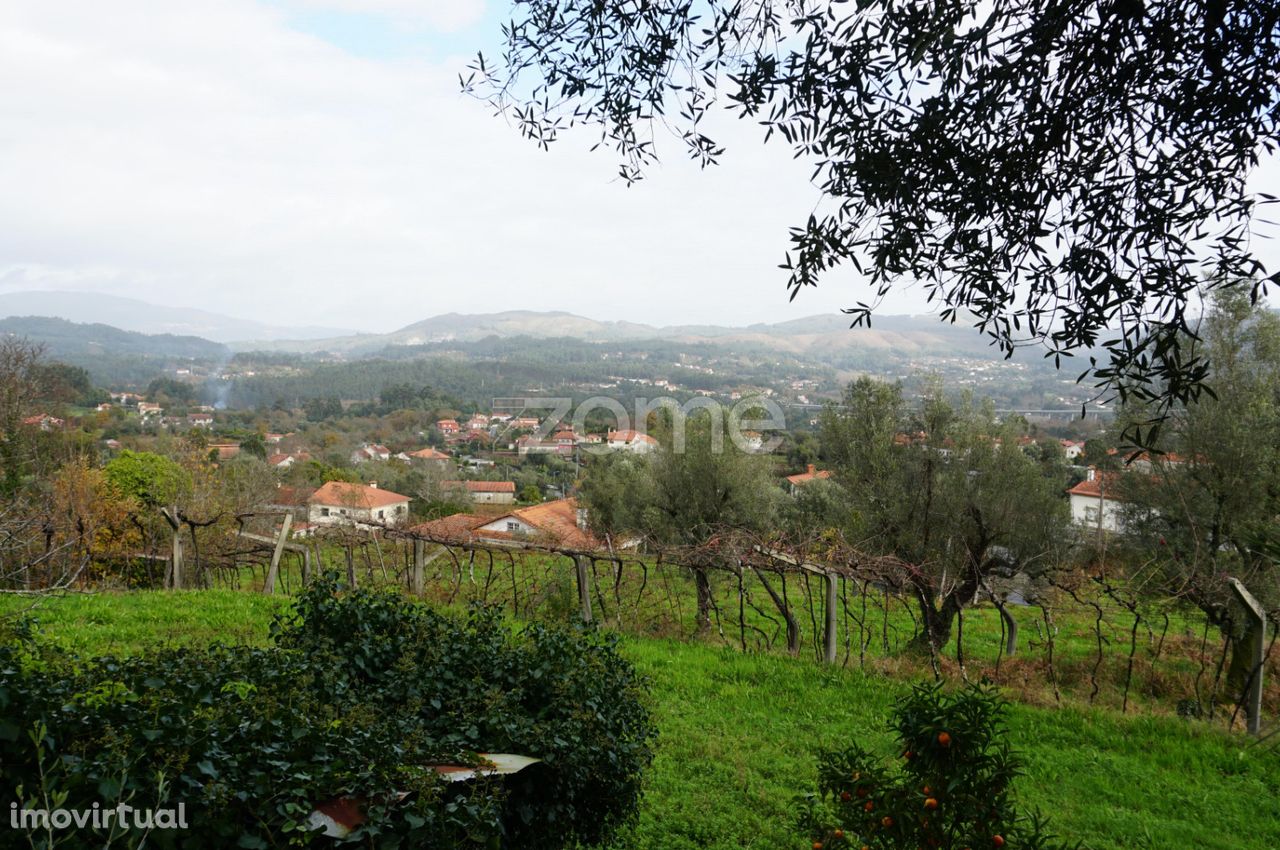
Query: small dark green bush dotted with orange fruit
950	788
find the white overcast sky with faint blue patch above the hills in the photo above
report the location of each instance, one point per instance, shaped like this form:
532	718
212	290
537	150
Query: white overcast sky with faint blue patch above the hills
313	162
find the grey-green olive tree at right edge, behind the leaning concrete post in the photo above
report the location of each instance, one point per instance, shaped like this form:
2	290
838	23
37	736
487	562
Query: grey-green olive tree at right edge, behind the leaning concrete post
1208	509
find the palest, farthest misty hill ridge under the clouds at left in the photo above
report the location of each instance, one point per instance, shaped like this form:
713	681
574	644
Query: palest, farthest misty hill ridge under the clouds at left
141	317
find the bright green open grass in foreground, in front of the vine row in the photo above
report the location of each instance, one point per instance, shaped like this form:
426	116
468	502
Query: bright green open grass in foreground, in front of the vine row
739	735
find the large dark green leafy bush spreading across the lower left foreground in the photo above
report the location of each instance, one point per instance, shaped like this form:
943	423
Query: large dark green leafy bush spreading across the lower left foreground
359	696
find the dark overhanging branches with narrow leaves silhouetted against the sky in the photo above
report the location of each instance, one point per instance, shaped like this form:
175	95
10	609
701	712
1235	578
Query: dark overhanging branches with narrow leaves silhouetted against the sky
1057	172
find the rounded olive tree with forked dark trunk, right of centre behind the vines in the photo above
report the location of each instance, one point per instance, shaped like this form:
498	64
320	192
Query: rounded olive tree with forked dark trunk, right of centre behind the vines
948	491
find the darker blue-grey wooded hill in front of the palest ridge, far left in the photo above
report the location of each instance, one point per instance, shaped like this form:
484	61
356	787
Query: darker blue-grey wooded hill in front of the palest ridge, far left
76	342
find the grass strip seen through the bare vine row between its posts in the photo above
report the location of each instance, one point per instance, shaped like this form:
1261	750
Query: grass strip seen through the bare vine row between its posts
1172	660
